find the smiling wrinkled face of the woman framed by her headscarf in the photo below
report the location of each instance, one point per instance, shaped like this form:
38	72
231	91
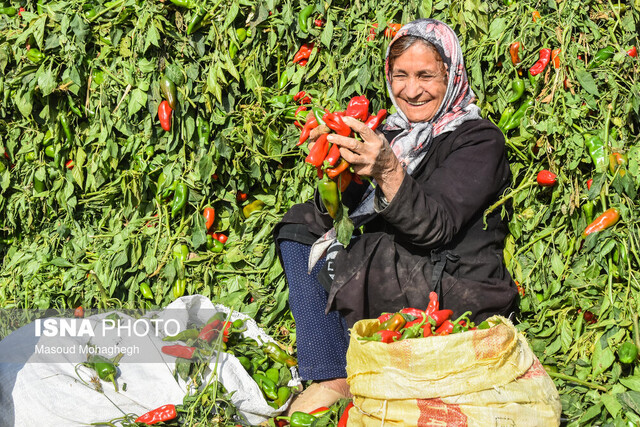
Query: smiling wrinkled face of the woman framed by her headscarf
418	82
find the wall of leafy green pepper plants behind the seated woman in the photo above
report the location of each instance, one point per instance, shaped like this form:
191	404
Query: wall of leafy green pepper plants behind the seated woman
102	206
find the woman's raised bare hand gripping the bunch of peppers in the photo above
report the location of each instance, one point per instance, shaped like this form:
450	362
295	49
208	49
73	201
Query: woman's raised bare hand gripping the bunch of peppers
370	157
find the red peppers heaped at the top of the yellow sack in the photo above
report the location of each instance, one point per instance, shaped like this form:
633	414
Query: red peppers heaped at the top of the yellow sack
417	323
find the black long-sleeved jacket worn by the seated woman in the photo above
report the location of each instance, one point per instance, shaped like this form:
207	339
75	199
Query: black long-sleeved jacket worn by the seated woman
430	236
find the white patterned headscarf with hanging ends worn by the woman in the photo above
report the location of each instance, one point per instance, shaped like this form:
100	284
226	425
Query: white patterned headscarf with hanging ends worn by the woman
412	143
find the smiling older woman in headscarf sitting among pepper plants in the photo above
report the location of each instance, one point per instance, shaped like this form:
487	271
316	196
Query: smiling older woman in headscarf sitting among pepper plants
437	167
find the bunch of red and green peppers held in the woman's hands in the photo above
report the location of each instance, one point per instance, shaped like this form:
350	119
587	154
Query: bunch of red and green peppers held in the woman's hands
333	169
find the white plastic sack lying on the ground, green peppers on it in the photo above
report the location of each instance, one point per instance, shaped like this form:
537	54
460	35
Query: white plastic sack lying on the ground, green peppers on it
35	391
